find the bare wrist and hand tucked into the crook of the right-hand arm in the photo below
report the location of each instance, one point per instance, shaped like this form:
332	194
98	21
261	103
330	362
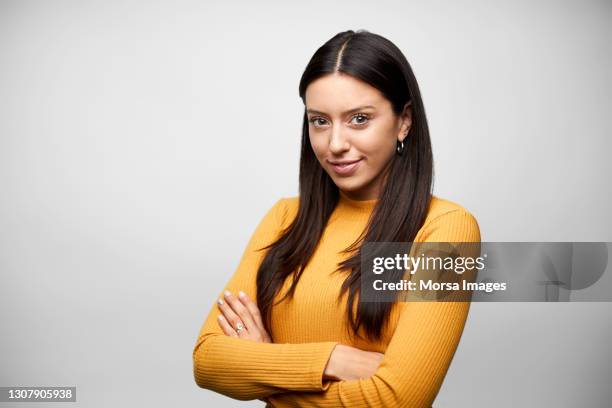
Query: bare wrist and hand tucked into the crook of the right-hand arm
350	363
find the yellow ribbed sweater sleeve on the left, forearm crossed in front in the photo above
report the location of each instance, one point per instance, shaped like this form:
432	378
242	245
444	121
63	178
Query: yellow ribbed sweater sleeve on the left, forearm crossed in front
244	369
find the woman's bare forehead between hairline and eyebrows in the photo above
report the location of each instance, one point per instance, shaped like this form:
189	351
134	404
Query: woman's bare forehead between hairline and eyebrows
336	93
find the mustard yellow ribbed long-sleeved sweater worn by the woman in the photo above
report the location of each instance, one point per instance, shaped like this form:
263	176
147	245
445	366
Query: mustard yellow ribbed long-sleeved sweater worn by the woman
418	346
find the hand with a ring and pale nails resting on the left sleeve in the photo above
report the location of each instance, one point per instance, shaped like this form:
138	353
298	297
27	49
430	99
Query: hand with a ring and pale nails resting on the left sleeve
241	318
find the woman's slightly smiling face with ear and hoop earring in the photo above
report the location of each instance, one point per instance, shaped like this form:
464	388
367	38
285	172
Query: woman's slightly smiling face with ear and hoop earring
353	132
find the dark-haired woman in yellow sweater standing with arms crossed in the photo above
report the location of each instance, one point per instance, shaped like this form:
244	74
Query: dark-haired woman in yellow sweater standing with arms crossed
288	328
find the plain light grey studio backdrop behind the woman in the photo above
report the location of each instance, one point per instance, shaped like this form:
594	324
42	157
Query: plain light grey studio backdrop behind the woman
142	142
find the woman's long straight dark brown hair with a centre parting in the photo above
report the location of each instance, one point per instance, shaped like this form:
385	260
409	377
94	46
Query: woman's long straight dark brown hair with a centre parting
405	197
